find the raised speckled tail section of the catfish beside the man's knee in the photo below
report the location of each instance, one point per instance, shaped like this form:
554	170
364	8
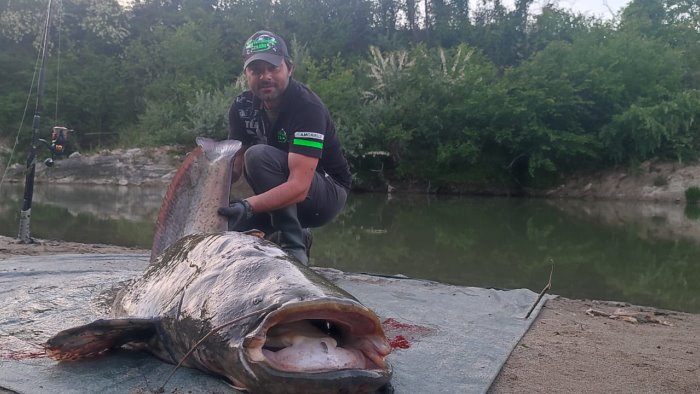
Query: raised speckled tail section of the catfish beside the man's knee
201	185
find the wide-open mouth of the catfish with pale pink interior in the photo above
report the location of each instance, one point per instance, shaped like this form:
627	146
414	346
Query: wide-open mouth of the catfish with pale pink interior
318	337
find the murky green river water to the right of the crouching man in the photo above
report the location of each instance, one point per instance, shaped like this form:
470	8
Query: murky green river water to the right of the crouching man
508	243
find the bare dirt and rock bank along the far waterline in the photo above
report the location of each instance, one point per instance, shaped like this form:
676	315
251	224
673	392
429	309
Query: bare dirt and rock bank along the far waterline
650	181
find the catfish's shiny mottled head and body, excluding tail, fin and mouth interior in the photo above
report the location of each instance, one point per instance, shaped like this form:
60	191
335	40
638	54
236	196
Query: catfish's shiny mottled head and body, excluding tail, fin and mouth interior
206	280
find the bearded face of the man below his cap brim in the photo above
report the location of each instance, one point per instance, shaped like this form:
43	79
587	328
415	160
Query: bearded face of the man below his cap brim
266	80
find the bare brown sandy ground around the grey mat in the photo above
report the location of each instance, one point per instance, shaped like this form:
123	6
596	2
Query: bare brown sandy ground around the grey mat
574	346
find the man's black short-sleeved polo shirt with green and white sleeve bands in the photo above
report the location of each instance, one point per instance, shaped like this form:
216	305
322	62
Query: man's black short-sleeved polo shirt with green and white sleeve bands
303	126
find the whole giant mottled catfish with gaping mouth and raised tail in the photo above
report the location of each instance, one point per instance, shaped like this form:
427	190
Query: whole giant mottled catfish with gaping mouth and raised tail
246	310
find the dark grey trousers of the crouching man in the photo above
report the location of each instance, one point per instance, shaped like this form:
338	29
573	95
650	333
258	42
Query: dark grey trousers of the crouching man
267	167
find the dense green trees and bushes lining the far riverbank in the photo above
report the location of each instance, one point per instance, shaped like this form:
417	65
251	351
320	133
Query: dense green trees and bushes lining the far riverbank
449	94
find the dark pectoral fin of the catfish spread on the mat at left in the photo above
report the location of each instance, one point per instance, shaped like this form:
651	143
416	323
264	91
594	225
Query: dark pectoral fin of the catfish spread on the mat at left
98	337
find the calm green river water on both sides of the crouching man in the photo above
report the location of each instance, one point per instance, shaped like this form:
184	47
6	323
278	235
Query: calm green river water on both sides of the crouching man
642	253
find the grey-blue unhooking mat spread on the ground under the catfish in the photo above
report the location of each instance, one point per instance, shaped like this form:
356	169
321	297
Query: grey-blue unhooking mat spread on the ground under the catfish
446	339
